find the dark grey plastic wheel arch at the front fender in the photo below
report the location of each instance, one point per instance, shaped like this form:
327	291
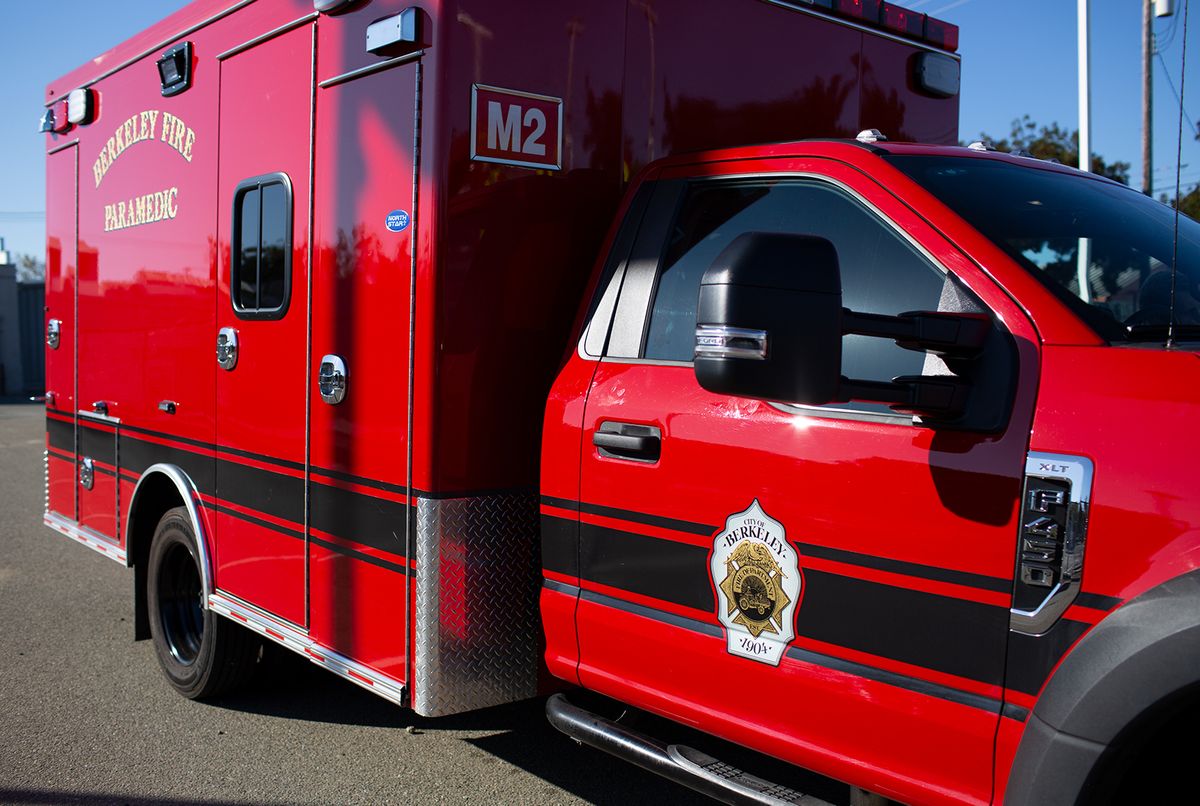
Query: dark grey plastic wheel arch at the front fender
1130	669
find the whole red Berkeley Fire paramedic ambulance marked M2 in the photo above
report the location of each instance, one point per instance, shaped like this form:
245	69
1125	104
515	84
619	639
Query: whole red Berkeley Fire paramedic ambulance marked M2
832	448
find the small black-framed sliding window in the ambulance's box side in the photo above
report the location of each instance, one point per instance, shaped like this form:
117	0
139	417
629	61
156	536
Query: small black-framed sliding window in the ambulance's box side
262	248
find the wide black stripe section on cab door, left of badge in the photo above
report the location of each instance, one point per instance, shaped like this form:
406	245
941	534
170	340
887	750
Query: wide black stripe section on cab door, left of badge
663	569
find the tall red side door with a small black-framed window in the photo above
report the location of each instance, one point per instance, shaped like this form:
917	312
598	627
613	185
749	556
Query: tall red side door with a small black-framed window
262	308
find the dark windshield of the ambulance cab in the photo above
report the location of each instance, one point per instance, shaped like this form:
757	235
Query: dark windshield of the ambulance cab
1042	219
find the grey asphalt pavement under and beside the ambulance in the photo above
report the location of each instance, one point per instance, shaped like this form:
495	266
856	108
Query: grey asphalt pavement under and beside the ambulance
87	718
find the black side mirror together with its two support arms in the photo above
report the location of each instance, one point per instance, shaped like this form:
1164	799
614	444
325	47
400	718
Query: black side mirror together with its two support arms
770	326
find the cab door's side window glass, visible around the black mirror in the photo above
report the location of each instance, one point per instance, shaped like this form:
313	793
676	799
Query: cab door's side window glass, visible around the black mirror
881	272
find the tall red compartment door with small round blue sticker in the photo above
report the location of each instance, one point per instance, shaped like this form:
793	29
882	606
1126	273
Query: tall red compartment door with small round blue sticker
365	227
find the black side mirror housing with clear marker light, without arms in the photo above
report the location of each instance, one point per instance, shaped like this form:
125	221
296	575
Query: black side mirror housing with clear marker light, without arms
769	323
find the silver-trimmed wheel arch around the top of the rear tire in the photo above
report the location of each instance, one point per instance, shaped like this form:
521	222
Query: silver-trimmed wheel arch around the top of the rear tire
160	489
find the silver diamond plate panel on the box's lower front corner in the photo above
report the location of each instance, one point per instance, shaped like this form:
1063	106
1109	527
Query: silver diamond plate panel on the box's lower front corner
478	636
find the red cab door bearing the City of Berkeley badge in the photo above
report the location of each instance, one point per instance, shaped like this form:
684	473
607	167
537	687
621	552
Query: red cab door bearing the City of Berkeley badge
830	585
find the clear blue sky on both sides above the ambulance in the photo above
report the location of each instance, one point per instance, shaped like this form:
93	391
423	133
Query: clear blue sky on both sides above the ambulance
1018	58
